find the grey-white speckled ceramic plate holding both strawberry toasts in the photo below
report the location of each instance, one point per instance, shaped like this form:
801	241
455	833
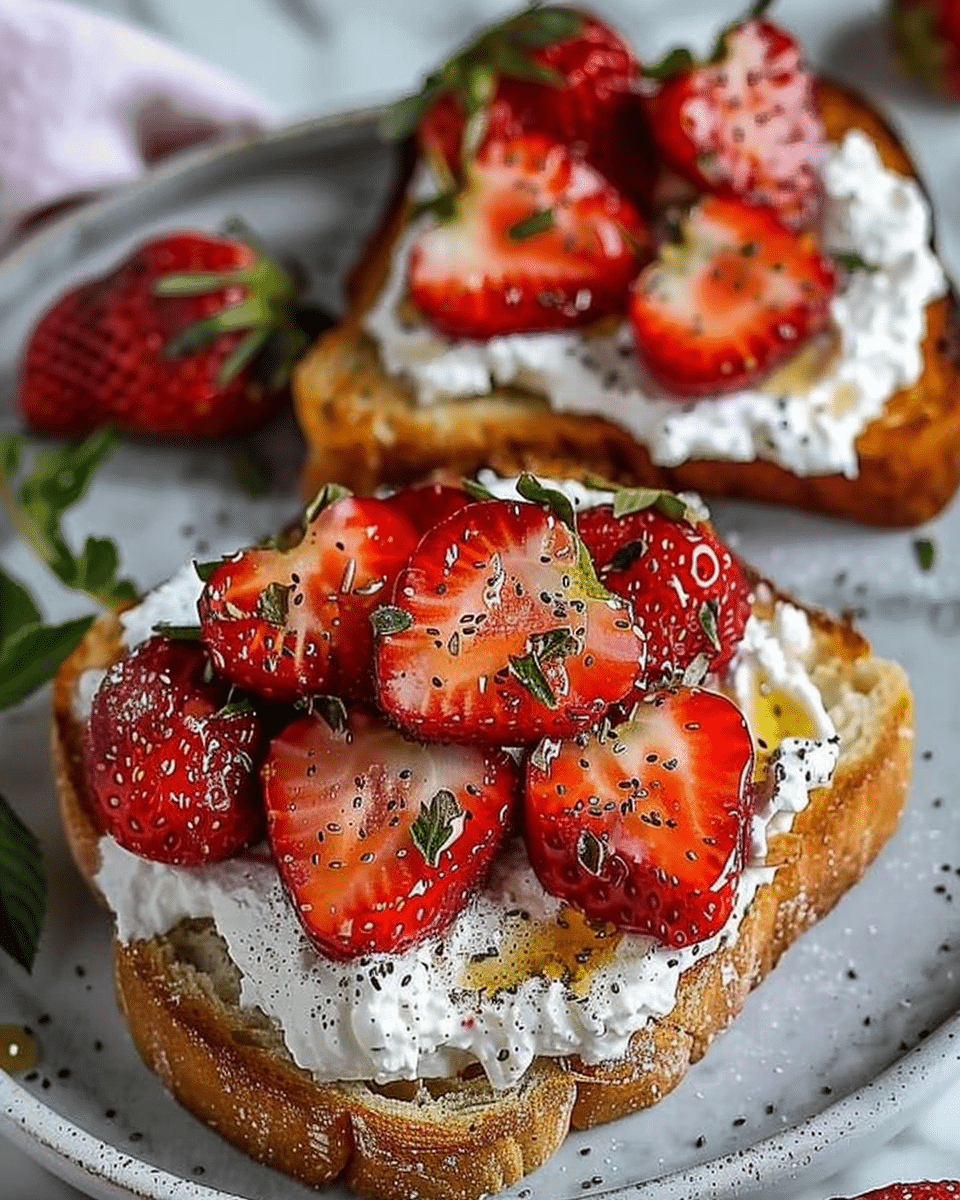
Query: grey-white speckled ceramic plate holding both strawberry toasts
857	1025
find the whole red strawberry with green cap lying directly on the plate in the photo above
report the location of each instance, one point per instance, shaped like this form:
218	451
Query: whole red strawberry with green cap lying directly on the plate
176	341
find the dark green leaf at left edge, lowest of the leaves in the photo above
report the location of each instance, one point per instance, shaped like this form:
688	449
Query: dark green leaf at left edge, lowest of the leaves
23	889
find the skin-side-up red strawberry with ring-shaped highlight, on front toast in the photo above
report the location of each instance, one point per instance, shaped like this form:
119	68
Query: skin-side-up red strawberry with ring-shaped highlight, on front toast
689	595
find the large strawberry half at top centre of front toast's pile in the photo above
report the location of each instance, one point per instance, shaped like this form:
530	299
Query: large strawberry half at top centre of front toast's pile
501	633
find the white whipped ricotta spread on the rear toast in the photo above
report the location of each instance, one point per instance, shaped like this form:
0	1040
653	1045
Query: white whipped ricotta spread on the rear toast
879	317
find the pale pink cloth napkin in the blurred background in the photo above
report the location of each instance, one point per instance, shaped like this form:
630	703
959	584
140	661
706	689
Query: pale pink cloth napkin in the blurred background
87	101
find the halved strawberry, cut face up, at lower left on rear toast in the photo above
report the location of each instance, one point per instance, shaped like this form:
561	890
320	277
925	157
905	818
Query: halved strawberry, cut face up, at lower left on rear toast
537	241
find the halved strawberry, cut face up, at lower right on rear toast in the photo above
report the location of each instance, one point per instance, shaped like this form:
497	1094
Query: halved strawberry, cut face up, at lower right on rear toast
737	296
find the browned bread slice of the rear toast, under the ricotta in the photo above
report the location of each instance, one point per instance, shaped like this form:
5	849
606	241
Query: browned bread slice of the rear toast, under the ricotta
365	427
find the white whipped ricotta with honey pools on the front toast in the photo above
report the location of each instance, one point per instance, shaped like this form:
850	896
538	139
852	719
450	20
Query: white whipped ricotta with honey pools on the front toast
442	1004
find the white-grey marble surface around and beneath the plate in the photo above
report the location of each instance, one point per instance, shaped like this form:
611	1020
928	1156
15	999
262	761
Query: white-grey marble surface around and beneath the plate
311	57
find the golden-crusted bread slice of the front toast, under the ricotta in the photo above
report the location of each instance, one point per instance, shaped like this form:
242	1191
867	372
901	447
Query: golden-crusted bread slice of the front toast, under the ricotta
459	1139
